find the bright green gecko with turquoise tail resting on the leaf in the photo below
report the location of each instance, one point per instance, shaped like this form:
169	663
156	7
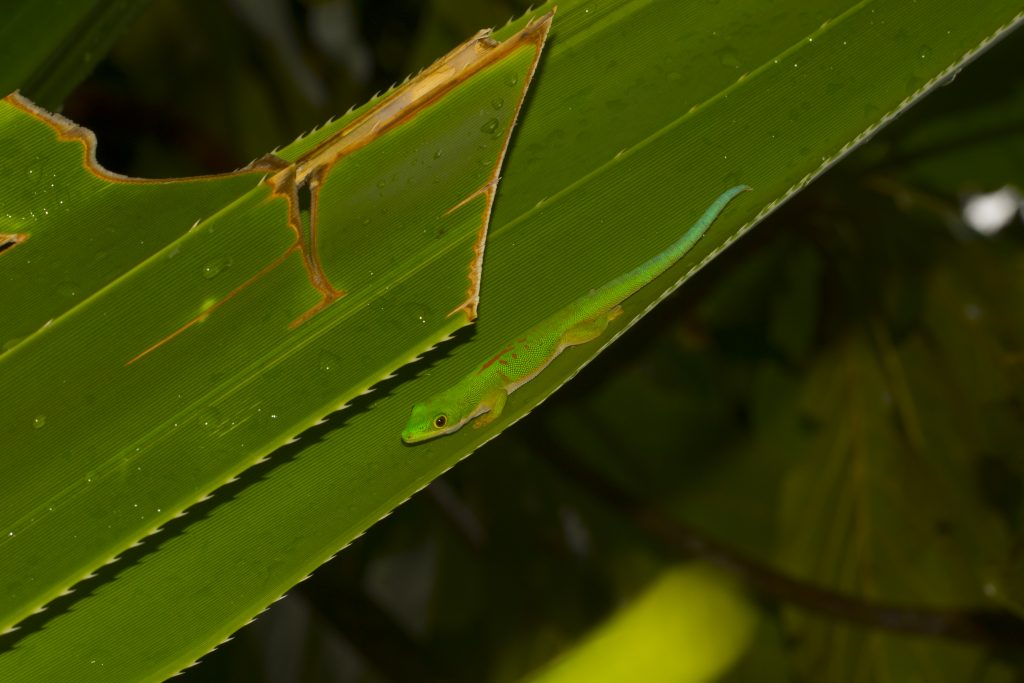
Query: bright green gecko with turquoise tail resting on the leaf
484	393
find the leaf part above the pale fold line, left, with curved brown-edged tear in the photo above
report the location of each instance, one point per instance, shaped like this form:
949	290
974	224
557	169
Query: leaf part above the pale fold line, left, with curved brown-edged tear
89	227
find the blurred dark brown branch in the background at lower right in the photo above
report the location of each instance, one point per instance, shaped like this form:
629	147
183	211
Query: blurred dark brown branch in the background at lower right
970	625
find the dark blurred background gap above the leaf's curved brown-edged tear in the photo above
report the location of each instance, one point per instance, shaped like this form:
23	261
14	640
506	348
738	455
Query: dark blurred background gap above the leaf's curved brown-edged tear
207	87
